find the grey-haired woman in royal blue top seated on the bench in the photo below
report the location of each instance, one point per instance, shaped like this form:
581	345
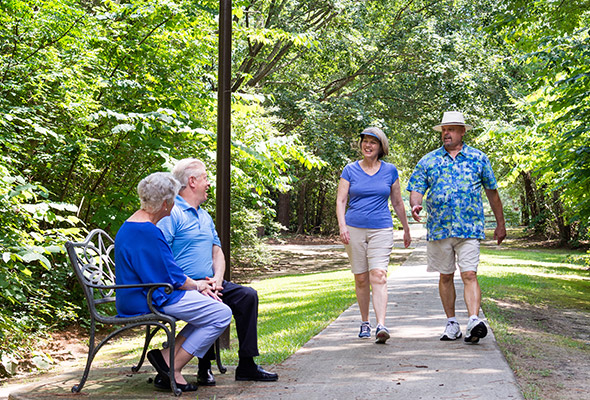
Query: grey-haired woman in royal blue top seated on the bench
142	255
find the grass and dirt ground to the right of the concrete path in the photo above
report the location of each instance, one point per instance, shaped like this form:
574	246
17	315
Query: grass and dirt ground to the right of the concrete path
538	305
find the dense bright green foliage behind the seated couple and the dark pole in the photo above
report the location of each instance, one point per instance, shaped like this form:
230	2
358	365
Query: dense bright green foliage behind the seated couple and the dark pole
93	97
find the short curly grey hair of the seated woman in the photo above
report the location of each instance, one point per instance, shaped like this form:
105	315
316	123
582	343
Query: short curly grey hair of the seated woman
156	188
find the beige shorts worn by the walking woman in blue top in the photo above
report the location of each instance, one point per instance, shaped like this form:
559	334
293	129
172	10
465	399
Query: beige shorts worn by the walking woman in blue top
369	248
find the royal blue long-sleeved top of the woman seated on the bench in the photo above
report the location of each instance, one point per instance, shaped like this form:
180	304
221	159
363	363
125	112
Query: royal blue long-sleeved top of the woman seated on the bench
143	256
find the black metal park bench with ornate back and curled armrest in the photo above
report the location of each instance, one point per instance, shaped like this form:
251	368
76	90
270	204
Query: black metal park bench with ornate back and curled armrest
94	266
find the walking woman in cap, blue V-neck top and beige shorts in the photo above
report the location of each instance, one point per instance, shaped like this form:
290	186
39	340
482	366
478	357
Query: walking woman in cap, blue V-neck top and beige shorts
366	228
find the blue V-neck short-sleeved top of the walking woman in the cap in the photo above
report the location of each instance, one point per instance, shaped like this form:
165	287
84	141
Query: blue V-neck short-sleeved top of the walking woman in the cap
368	203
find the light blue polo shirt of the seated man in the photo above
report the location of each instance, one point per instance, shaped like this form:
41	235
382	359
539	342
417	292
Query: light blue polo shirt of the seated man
191	235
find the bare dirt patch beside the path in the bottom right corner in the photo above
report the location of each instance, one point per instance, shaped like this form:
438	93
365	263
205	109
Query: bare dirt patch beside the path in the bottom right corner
548	350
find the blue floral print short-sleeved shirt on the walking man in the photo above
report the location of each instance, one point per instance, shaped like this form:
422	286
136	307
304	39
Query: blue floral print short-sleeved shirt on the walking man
454	203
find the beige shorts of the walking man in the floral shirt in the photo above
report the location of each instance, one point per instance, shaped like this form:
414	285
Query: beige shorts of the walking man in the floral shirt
446	255
